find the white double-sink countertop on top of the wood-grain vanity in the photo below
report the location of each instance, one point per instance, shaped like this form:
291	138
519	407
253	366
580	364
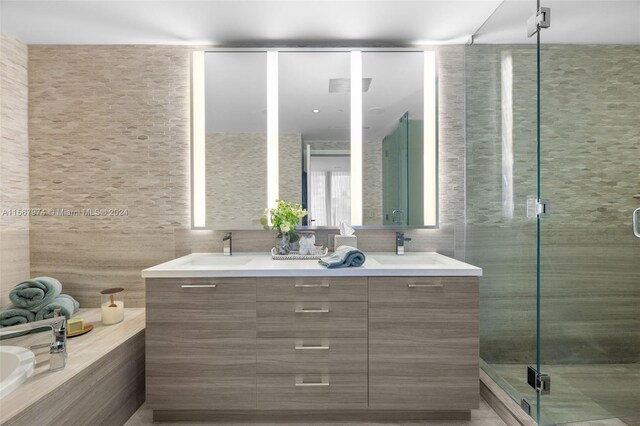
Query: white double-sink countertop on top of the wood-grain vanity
203	265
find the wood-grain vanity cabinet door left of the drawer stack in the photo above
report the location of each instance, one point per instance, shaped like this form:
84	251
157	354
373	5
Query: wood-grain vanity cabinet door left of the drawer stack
201	343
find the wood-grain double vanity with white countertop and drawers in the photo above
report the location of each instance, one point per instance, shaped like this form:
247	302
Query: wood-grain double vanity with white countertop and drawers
246	337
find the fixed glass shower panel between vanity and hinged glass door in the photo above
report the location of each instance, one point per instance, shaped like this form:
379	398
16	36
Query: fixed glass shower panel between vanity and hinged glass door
501	187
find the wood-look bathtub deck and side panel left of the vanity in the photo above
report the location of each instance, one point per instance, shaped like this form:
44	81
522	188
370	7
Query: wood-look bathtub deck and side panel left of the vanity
102	383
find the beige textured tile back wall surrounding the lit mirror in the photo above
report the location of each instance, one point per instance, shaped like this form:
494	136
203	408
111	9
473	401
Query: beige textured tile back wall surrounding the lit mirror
109	128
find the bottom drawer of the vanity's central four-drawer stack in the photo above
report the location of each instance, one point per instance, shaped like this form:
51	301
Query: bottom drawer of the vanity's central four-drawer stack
296	391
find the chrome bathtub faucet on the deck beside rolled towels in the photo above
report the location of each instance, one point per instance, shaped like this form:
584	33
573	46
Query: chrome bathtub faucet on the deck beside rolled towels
58	345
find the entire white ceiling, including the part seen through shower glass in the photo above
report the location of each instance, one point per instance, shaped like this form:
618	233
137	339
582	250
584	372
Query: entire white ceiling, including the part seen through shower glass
313	22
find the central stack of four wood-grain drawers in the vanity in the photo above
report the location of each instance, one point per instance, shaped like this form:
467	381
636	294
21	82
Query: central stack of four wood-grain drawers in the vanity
312	343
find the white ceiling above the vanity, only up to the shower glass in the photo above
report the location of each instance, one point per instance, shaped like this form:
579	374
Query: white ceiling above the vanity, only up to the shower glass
242	22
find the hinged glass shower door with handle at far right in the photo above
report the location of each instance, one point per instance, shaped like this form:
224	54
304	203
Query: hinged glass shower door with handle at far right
590	175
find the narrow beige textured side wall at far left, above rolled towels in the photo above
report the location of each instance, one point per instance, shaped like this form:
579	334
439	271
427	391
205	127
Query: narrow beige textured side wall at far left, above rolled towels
14	165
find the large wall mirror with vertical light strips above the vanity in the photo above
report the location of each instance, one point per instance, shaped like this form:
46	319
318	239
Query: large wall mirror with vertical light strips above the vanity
290	125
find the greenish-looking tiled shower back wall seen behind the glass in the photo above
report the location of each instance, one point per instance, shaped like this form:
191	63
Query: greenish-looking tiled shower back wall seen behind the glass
590	138
